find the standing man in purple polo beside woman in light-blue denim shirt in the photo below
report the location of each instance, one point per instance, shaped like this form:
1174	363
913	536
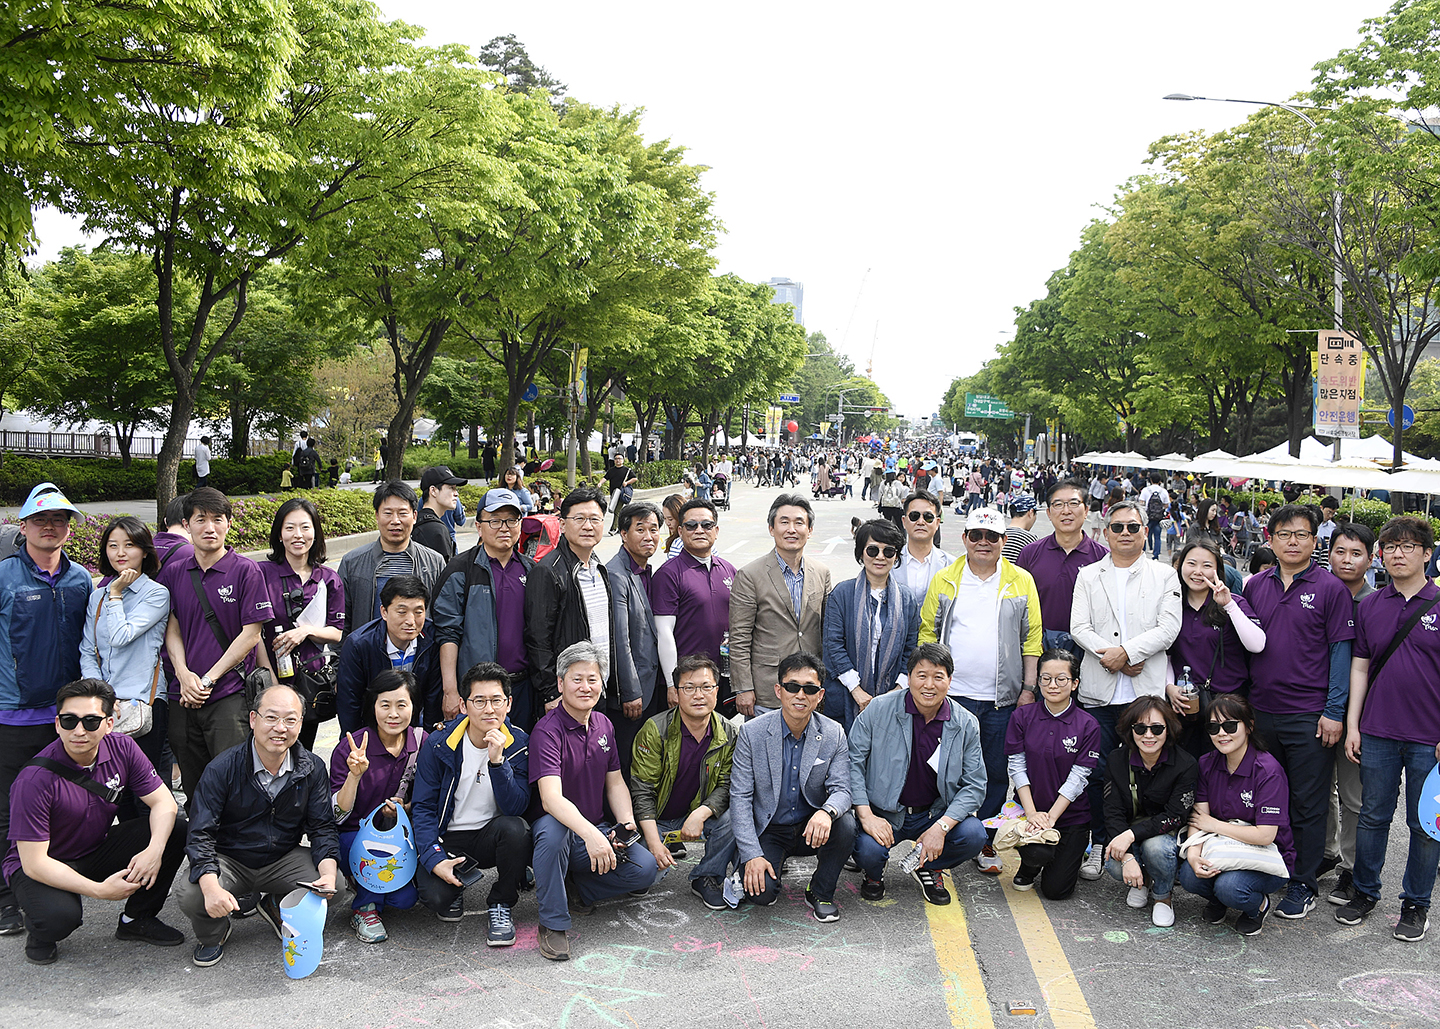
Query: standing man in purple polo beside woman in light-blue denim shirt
218	608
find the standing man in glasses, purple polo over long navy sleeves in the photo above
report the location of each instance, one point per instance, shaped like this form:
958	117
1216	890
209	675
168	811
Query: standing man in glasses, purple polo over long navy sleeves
1301	686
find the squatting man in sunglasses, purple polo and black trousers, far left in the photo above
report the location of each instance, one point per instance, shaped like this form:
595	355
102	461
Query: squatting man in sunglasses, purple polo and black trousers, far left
66	843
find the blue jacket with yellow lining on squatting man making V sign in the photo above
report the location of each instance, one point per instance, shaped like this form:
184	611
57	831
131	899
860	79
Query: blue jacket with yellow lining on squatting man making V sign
437	772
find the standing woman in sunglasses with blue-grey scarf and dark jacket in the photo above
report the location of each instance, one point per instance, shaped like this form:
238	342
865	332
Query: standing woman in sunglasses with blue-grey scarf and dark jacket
872	625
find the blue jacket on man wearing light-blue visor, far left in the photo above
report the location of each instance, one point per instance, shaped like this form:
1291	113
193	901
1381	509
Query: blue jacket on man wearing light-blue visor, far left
41	630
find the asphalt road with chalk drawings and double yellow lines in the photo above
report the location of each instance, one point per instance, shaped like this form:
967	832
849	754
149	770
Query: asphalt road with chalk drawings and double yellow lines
666	961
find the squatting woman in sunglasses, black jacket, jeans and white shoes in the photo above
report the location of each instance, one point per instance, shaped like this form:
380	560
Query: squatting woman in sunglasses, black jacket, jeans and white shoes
1148	792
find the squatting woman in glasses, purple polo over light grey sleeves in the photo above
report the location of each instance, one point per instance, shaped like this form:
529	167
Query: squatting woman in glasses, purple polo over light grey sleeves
1053	749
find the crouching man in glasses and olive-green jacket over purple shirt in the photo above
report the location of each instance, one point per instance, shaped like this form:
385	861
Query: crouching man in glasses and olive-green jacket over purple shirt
680	779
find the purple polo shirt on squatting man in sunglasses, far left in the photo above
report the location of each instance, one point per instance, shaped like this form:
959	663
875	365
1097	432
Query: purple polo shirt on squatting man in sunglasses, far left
48	808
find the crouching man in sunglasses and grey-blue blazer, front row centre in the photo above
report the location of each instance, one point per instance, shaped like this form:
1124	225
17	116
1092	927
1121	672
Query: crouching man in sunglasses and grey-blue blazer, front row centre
790	791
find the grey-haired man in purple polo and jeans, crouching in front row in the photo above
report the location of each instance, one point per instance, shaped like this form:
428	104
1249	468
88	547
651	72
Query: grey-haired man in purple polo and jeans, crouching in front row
577	766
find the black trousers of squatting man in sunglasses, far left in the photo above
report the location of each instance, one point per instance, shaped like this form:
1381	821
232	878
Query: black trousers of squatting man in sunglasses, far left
53	915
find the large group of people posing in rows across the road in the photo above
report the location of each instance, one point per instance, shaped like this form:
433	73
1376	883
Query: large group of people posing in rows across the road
575	725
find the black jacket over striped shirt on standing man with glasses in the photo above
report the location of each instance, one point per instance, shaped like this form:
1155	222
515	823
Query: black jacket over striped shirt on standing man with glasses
557	618
